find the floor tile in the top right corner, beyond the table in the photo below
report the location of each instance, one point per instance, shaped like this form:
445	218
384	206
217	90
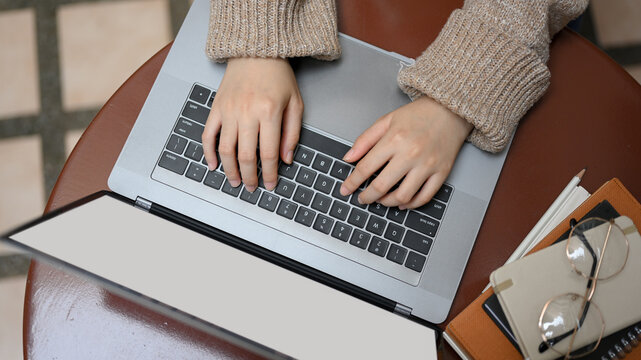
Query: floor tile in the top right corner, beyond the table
617	22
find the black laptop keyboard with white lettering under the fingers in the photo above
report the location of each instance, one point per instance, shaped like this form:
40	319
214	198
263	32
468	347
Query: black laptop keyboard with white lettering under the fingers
307	194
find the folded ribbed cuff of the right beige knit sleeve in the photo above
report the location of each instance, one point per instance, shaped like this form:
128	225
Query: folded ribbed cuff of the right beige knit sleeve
482	75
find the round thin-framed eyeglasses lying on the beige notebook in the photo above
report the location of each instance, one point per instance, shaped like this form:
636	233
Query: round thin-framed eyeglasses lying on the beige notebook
572	318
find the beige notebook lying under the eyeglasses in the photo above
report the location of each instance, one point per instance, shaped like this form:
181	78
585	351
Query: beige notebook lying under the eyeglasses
524	286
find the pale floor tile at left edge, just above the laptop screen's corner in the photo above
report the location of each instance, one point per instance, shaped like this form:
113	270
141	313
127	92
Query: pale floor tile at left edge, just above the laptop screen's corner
21	181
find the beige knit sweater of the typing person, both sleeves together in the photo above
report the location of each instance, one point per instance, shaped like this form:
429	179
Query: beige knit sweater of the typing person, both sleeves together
487	65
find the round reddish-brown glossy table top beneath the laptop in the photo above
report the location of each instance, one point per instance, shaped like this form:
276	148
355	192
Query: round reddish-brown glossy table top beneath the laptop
590	117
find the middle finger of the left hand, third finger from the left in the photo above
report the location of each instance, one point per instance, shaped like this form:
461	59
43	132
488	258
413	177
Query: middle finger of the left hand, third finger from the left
247	141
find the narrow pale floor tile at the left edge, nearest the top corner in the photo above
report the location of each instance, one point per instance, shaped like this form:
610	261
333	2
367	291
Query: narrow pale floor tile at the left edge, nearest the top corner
19	93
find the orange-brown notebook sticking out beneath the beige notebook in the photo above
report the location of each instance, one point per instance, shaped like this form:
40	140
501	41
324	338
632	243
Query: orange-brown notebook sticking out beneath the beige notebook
477	335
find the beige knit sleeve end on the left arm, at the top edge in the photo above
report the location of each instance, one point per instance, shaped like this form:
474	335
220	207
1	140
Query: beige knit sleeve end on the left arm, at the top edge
272	28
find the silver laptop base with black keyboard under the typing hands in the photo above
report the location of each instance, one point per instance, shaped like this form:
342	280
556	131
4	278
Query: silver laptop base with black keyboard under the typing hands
408	261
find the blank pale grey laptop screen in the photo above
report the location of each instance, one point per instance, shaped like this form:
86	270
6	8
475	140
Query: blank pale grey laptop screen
249	297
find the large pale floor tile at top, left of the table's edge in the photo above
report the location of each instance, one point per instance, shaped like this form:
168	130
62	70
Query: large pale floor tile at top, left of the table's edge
102	43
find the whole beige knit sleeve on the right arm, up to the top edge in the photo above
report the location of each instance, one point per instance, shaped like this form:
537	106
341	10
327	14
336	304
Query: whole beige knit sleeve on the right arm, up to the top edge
488	64
